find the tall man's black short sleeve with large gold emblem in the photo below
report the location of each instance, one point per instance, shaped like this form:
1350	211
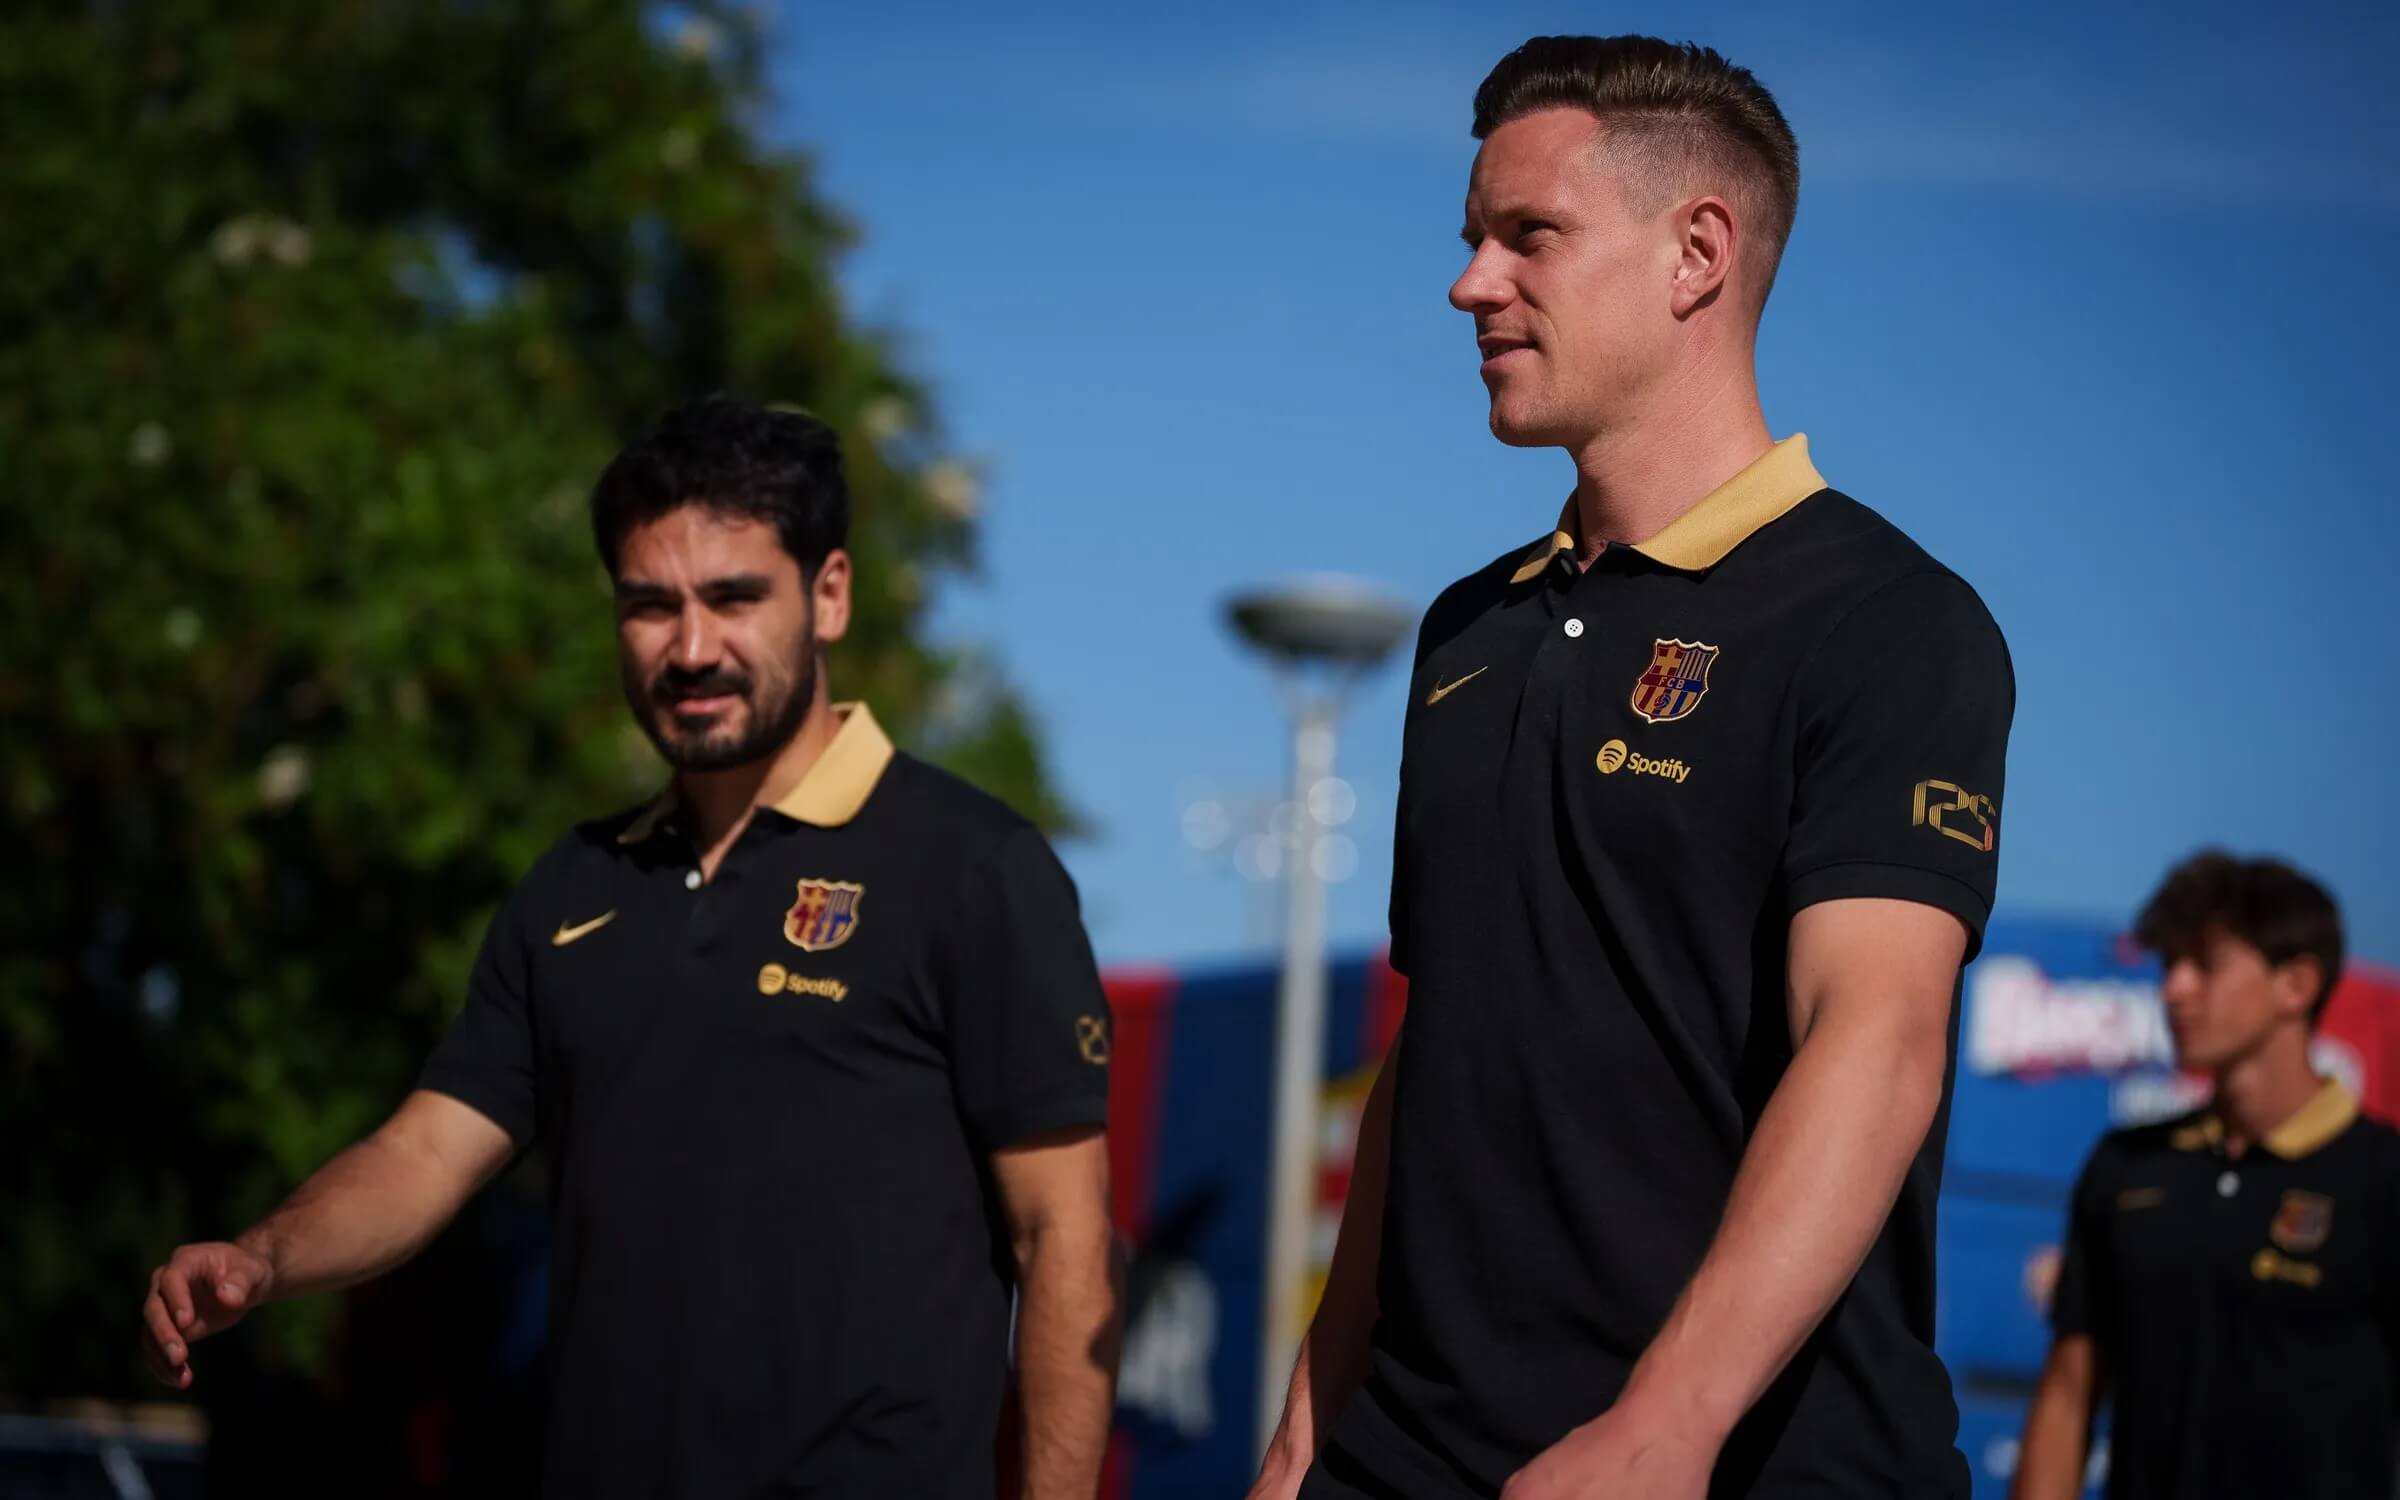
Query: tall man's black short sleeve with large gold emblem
1902	743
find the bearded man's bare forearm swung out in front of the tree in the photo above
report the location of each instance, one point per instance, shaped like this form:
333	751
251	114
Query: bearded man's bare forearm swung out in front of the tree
373	1206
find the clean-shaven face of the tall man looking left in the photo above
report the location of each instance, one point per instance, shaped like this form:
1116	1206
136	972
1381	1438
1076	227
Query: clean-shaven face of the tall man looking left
1566	284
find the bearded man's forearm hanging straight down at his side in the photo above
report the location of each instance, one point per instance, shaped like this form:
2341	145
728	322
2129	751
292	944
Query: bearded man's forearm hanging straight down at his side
1069	1336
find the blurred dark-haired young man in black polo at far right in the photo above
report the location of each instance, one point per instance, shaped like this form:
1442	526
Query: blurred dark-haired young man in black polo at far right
2231	1290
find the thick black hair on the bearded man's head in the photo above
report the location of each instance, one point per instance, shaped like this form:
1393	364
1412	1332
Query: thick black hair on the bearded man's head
736	460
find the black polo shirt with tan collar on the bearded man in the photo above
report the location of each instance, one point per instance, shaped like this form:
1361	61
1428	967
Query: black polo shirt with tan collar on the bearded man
769	1105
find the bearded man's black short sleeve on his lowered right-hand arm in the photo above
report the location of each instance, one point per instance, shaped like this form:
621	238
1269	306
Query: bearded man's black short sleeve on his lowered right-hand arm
1028	1021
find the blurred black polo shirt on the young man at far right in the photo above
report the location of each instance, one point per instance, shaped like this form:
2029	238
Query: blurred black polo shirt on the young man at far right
2245	1309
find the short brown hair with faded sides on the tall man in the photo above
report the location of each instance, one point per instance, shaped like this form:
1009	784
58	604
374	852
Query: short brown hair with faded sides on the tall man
1679	119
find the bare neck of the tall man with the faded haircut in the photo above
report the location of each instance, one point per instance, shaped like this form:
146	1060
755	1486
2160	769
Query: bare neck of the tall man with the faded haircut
1693	433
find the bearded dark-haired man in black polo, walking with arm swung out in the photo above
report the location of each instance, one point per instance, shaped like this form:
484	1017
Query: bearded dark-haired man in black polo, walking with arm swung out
815	1045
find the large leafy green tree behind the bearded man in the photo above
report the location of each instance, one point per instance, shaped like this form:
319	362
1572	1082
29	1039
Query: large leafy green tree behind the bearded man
318	323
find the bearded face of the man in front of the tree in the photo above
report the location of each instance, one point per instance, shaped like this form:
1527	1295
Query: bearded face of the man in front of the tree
719	635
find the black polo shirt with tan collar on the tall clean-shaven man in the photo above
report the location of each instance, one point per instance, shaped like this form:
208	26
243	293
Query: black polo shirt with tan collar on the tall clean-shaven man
1619	786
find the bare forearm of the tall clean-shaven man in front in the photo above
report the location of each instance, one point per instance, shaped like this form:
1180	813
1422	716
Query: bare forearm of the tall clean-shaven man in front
1808	1201
